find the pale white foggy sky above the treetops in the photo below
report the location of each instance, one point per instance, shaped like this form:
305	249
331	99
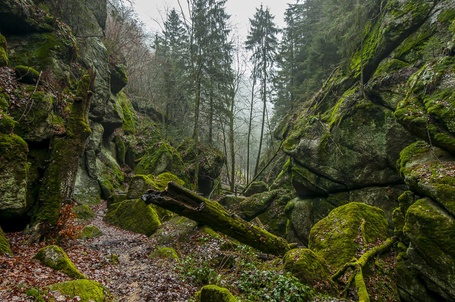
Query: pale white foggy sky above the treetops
153	12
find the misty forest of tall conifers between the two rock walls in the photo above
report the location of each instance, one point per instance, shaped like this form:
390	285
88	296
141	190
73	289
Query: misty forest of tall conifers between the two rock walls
231	94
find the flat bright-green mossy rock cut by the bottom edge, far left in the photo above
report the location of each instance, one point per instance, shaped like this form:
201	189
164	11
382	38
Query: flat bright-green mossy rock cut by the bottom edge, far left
84	290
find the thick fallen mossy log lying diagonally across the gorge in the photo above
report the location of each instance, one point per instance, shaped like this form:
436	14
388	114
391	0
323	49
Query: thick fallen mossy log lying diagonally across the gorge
187	203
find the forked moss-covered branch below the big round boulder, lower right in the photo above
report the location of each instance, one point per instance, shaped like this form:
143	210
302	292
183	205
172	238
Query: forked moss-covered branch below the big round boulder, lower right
358	265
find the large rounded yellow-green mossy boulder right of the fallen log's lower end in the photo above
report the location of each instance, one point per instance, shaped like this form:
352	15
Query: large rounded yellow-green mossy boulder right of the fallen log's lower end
337	237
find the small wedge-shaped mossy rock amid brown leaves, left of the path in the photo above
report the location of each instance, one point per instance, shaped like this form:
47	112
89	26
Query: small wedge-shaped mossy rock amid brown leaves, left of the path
56	258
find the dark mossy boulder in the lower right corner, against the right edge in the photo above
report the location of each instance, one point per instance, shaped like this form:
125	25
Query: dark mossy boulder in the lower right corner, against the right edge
431	253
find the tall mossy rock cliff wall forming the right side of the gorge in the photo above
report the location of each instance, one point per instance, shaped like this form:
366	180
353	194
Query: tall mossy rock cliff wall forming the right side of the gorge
388	142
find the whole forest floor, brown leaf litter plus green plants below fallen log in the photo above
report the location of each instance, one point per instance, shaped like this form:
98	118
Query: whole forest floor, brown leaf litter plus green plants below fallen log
121	261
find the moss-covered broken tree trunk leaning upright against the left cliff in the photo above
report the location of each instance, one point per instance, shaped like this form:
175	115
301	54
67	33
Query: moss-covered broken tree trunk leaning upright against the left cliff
67	151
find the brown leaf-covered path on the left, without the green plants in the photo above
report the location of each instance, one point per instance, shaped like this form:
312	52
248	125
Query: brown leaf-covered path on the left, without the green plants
119	260
